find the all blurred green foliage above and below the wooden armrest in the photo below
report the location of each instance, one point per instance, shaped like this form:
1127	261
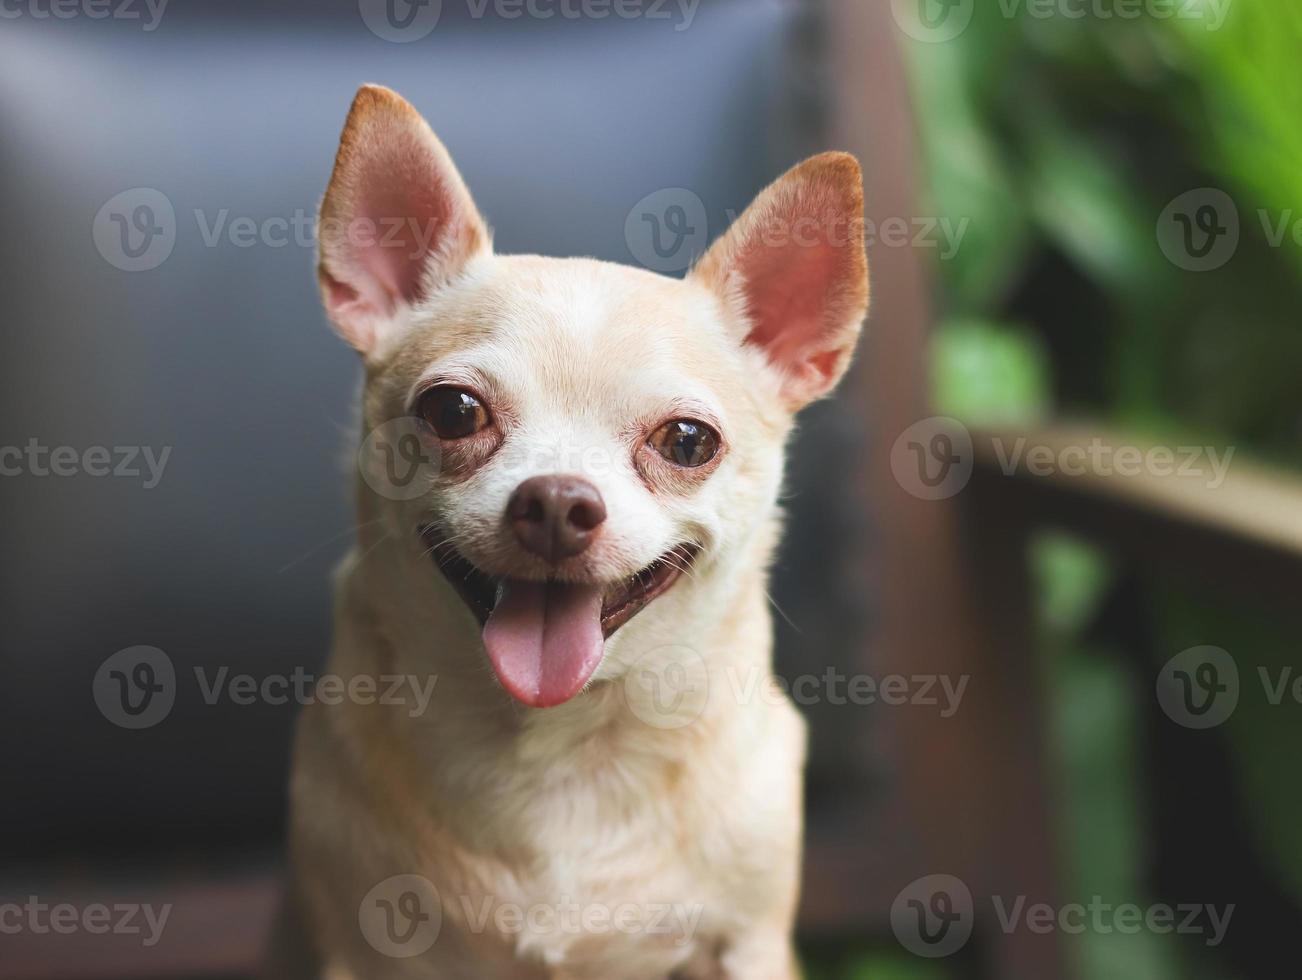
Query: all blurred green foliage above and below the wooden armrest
1062	143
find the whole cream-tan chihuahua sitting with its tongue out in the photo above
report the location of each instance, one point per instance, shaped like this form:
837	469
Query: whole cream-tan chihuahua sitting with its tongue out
581	568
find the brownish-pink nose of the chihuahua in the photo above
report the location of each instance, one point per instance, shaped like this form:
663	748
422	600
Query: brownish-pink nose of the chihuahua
557	517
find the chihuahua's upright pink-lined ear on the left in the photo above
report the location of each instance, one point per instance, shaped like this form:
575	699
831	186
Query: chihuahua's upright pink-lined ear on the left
396	222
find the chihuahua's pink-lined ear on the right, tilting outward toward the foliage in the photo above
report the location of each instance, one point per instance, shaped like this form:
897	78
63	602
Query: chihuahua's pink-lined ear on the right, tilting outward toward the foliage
794	273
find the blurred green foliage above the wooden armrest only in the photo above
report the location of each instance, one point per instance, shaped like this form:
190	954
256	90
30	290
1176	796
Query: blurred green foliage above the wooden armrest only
1062	141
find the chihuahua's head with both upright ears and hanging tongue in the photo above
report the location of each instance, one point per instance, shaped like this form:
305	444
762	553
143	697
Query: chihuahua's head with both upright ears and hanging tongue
601	441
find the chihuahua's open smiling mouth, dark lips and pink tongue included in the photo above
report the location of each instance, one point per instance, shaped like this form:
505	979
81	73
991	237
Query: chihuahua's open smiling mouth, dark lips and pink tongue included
546	638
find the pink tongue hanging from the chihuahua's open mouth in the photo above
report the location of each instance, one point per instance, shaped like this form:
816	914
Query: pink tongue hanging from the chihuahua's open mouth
545	641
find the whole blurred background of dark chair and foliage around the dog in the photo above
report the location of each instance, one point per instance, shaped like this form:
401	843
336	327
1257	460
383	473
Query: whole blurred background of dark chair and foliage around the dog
1054	519
